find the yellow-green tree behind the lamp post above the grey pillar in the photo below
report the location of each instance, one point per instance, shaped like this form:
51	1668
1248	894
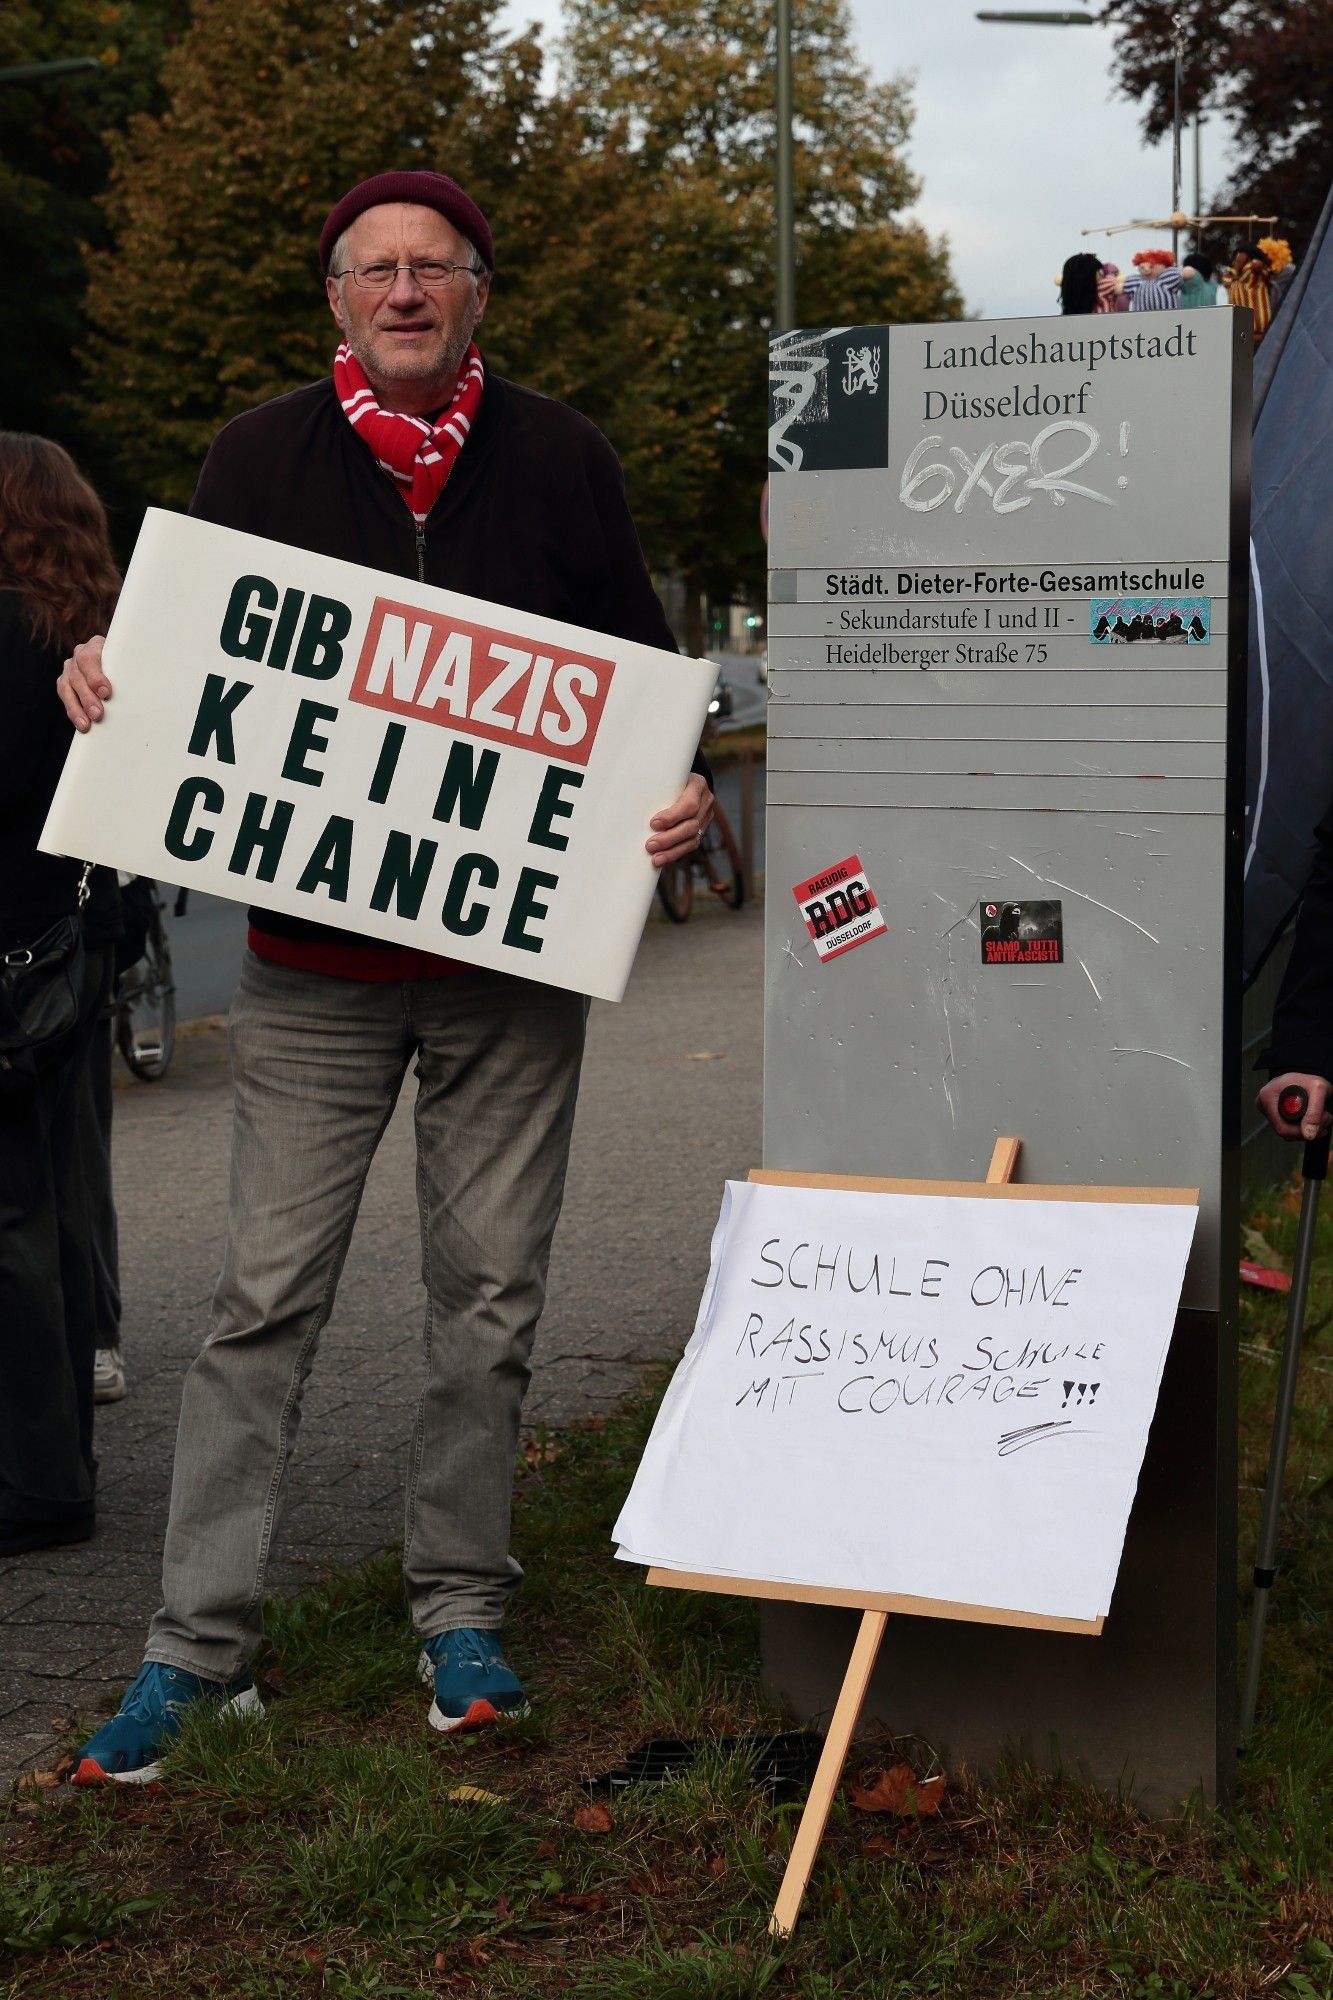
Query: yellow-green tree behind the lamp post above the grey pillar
678	103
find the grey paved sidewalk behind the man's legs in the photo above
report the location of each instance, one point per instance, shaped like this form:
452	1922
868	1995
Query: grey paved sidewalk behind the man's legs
670	1109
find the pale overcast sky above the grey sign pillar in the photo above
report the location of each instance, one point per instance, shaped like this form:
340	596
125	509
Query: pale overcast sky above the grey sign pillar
1020	143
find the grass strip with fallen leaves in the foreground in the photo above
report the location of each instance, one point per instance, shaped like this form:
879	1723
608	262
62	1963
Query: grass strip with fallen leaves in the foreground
339	1847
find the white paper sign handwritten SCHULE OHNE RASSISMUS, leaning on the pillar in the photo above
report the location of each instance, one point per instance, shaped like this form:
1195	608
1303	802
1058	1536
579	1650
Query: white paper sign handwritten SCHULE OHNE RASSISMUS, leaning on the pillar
922	1395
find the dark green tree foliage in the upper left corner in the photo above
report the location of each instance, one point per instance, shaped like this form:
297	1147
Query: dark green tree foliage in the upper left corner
53	167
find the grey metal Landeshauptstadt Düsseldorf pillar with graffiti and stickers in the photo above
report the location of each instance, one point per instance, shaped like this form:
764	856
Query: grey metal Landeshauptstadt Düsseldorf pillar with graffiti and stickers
1006	737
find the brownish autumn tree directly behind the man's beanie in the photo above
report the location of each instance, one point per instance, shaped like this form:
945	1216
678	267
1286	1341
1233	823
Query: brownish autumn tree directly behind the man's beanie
211	299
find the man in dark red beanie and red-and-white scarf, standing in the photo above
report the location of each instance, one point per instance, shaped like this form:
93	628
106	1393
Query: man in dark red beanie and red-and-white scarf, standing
411	461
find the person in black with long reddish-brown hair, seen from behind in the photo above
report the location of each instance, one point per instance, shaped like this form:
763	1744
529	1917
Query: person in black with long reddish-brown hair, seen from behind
57	581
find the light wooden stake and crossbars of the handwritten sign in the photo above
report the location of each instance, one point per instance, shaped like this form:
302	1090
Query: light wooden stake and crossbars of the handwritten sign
876	1609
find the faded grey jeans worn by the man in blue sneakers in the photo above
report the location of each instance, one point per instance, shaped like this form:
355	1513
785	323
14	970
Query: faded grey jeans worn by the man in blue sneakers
317	1069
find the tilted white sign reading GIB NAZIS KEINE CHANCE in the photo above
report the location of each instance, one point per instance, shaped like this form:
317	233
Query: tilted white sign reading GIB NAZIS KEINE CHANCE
383	757
